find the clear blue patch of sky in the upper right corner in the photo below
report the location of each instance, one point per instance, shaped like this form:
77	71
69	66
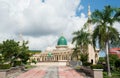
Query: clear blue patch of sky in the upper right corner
98	4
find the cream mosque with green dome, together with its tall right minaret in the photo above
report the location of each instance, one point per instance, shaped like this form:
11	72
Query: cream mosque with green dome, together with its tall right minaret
63	52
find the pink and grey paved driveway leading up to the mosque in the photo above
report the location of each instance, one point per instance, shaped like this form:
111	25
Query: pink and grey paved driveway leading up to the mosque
51	70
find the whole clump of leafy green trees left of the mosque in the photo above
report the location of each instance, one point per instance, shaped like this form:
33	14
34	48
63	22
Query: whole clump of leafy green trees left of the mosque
12	50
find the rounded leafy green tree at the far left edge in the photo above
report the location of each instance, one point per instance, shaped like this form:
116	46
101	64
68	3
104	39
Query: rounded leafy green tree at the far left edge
9	50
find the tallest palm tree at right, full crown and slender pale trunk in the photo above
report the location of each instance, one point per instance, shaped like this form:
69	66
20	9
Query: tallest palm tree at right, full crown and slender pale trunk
104	30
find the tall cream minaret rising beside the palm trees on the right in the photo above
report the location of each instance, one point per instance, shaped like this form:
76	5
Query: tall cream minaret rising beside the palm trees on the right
91	51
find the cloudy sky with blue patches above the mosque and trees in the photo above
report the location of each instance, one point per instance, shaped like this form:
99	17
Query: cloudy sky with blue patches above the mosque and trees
41	22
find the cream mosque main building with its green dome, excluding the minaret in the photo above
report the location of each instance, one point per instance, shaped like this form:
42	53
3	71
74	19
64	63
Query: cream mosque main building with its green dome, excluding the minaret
62	52
